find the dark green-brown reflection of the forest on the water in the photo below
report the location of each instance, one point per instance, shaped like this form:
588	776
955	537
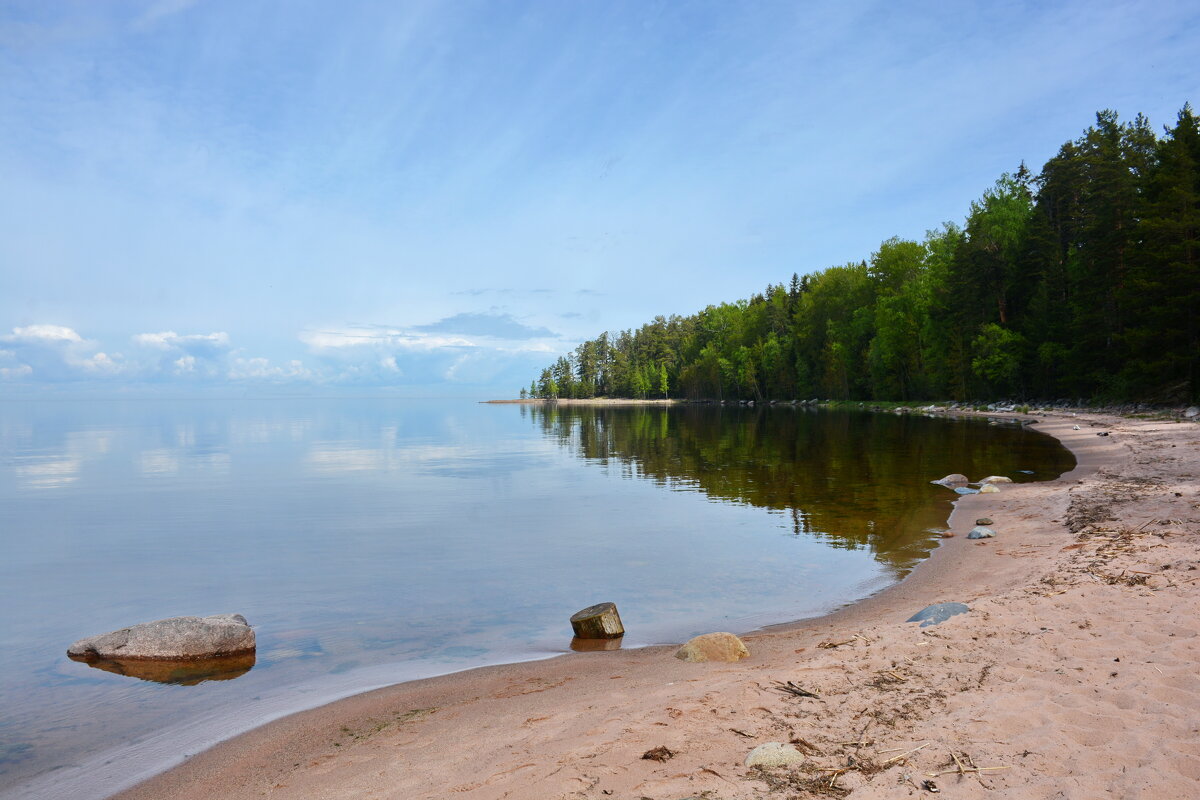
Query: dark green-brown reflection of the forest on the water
855	480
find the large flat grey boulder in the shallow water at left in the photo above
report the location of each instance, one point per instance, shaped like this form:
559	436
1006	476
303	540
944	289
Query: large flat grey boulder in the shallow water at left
179	639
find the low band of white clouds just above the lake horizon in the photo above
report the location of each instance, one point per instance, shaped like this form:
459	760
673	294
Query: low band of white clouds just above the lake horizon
477	350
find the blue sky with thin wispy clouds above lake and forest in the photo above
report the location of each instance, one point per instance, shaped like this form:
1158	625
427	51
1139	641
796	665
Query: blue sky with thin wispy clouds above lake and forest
441	199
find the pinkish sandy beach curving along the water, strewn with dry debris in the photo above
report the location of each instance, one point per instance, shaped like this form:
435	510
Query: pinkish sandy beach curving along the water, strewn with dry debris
1073	676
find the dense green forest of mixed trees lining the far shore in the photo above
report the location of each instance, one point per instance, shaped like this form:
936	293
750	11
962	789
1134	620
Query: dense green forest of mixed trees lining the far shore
1079	282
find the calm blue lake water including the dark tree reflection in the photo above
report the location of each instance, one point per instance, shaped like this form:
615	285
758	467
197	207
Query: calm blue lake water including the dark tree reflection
373	542
